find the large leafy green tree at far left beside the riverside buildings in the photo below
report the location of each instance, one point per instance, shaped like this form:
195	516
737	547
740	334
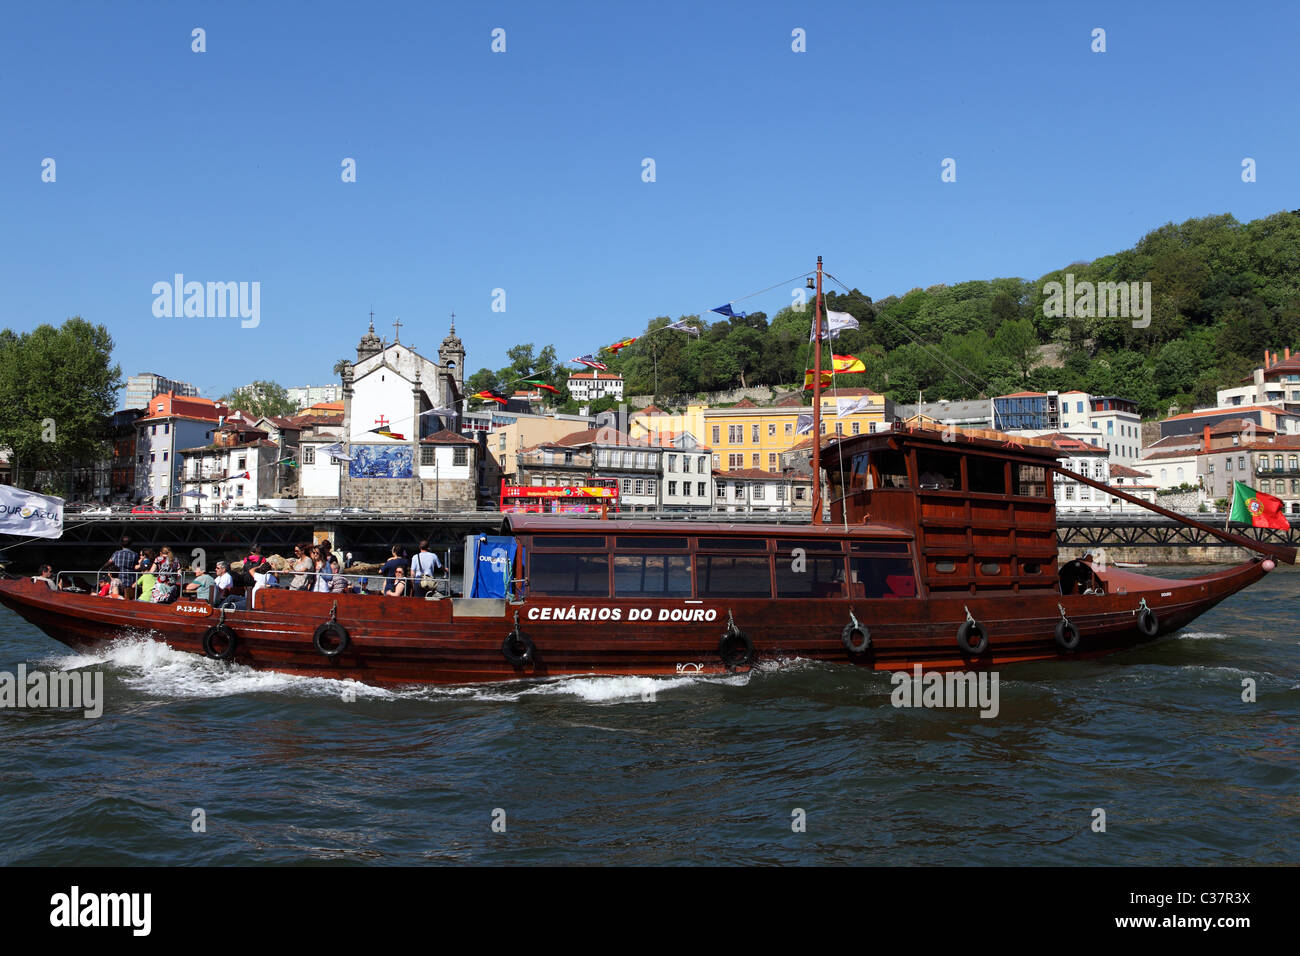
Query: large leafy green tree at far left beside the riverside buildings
58	392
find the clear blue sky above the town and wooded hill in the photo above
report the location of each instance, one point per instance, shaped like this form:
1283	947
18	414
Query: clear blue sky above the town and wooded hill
523	170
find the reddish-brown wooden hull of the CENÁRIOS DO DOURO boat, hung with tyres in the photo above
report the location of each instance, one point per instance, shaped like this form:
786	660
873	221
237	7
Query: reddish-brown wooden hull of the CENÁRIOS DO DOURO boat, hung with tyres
409	642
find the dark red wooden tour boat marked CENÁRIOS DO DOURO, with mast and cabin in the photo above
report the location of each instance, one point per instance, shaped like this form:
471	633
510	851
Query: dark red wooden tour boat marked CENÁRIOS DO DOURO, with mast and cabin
942	552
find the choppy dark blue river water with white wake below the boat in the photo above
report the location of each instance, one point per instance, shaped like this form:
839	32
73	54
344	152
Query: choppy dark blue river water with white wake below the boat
629	771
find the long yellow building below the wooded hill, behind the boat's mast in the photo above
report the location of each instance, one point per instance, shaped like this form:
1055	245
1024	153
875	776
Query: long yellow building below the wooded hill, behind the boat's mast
751	436
